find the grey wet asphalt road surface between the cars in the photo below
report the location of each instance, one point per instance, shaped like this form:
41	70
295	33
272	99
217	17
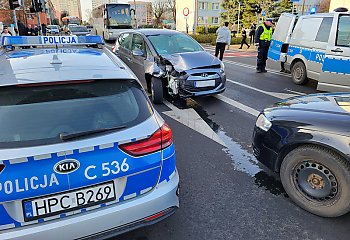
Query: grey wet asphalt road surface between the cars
225	193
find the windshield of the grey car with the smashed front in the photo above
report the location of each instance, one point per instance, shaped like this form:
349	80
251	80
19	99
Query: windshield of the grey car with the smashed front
174	43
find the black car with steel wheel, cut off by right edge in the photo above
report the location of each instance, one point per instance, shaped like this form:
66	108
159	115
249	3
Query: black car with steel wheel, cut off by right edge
306	139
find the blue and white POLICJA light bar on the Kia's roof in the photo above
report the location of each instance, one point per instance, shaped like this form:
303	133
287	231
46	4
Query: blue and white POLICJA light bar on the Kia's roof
51	40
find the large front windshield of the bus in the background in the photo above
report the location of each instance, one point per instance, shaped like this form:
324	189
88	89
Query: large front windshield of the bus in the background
119	15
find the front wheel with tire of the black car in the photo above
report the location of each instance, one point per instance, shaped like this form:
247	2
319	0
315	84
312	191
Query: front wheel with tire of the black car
317	180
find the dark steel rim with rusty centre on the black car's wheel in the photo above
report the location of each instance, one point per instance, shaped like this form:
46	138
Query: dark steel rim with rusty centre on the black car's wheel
316	181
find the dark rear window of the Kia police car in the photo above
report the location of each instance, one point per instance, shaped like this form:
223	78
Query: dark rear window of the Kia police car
37	114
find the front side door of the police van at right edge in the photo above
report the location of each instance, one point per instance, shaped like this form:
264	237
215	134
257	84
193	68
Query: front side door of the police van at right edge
335	74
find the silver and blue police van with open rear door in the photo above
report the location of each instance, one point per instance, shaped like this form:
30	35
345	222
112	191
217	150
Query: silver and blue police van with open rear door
314	47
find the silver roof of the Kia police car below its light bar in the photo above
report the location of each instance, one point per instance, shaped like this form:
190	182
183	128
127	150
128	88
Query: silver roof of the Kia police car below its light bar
26	66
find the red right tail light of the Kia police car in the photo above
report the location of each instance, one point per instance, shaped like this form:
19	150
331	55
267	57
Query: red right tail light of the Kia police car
161	139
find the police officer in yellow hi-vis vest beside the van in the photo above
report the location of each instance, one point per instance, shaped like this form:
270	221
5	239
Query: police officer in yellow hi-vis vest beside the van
262	39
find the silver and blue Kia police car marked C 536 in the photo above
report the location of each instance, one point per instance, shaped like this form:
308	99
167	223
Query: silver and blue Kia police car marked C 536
83	154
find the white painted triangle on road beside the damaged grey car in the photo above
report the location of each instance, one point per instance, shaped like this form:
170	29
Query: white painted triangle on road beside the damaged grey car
190	118
